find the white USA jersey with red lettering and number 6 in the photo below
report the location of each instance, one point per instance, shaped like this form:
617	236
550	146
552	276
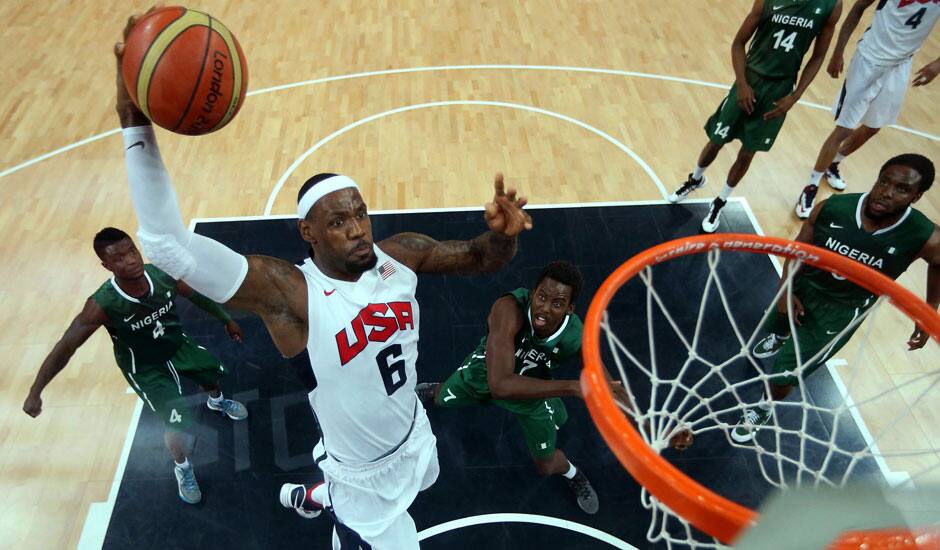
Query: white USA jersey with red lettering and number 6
363	346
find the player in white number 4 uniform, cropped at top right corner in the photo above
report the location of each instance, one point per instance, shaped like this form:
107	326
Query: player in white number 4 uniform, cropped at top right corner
875	82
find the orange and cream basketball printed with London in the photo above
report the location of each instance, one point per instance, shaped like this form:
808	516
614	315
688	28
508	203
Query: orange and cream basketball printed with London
185	70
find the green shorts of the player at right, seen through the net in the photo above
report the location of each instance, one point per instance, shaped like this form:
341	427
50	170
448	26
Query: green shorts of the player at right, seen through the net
823	319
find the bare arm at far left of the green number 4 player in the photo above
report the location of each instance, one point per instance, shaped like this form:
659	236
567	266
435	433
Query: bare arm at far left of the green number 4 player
84	324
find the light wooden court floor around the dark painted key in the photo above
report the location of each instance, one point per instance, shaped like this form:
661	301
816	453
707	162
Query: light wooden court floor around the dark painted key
578	102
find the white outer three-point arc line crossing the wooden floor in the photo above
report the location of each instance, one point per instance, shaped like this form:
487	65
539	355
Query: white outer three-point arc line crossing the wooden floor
613	72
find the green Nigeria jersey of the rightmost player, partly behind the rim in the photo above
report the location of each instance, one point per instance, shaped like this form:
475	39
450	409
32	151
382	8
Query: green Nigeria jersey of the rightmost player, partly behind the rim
889	250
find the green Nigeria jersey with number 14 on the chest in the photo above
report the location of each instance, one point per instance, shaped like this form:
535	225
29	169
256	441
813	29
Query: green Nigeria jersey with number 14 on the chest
786	30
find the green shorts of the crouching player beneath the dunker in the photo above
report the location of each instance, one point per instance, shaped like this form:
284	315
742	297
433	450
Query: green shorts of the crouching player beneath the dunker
540	419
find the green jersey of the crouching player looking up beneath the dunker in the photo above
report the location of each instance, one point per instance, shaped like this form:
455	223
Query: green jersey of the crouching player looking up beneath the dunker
536	356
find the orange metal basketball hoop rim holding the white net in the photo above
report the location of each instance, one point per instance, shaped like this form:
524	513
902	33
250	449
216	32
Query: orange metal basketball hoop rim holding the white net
706	510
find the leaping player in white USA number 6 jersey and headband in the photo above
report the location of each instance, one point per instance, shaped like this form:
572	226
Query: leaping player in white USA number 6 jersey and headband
351	306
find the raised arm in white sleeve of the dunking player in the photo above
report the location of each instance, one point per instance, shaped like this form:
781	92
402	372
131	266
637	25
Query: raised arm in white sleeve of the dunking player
270	287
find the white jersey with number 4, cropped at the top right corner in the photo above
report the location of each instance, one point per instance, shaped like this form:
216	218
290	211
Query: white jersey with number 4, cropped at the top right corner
898	30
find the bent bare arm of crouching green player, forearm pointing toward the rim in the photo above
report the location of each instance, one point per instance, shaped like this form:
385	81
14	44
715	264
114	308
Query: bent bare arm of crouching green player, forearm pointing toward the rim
505	321
